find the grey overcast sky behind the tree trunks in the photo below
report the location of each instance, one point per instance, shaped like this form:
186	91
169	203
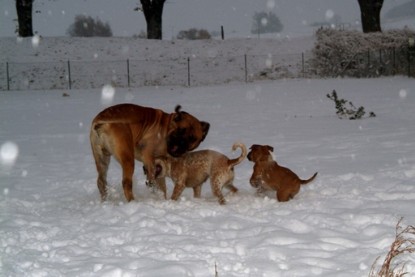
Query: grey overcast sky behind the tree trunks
53	17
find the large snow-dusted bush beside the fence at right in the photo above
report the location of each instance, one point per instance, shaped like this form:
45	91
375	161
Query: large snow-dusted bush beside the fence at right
353	53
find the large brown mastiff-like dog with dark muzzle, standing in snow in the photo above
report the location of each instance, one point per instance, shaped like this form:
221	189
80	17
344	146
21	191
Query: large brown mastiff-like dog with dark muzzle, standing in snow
131	132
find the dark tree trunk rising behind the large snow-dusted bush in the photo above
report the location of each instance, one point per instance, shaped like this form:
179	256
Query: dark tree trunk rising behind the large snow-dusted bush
370	13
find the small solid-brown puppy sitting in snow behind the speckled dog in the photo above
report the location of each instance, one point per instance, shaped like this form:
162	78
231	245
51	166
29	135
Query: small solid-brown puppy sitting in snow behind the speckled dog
269	175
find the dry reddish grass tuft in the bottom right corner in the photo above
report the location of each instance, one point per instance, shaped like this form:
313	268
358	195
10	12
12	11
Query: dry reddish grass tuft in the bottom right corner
404	243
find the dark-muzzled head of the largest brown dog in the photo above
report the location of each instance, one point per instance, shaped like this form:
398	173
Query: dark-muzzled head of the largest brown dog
186	133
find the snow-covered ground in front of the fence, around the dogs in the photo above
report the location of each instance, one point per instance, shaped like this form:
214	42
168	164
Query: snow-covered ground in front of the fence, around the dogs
52	222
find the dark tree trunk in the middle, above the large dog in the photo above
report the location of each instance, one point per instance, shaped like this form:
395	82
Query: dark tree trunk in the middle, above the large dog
153	12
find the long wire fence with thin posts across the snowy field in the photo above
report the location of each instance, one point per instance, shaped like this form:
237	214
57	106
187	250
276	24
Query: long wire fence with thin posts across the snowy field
195	71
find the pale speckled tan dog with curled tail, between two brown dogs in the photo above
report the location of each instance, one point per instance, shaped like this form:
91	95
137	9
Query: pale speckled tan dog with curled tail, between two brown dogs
194	168
